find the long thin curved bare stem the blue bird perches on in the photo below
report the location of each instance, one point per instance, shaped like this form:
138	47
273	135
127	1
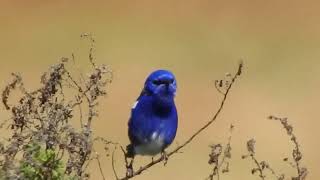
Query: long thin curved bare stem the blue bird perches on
189	140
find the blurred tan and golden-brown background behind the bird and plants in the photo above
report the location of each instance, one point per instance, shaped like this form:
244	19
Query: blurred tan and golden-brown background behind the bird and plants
199	40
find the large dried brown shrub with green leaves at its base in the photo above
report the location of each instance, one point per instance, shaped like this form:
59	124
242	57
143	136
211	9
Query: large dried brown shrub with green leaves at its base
43	142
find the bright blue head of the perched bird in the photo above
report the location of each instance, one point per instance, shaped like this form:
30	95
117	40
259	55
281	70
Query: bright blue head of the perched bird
161	84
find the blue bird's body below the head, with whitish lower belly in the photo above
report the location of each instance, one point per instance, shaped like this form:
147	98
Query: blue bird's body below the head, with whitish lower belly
152	127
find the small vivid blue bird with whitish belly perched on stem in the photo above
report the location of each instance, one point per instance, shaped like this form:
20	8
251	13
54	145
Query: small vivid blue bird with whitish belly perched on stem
154	119
